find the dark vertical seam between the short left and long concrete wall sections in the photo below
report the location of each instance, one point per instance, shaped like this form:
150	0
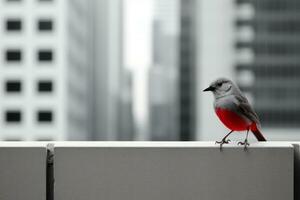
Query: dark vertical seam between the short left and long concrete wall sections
49	173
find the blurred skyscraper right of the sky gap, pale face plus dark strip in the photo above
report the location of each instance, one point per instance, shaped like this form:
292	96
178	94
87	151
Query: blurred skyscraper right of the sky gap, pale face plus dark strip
172	76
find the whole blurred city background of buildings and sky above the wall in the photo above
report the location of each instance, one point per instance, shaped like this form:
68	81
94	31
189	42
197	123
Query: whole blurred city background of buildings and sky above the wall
135	69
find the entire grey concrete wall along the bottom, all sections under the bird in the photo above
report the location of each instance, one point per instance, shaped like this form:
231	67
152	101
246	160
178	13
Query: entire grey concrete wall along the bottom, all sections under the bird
149	170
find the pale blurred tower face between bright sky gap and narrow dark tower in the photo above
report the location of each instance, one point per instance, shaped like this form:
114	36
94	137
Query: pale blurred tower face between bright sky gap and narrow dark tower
163	74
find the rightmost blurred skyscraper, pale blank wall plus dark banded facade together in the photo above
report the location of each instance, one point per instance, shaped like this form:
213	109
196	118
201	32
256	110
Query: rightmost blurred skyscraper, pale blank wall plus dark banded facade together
255	43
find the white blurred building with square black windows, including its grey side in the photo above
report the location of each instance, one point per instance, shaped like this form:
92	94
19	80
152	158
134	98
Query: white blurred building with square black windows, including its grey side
45	69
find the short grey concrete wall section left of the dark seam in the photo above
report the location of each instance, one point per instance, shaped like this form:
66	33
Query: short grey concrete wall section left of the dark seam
22	171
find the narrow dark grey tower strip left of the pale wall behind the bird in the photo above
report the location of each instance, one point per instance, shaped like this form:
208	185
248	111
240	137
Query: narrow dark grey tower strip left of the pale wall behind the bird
187	70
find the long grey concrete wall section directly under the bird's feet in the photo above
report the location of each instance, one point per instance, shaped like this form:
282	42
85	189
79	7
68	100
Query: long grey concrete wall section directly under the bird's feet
172	170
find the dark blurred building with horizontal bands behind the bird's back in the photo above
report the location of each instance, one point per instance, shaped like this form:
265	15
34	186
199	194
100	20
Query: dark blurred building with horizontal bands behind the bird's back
268	65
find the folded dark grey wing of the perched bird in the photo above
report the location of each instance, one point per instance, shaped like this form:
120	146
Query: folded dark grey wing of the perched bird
245	108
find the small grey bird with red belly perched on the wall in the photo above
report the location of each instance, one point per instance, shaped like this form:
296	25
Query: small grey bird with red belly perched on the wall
234	110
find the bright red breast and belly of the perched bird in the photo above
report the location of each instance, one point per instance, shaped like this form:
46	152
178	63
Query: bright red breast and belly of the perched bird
233	121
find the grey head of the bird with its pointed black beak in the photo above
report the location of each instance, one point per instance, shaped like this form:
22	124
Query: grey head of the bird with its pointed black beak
222	87
